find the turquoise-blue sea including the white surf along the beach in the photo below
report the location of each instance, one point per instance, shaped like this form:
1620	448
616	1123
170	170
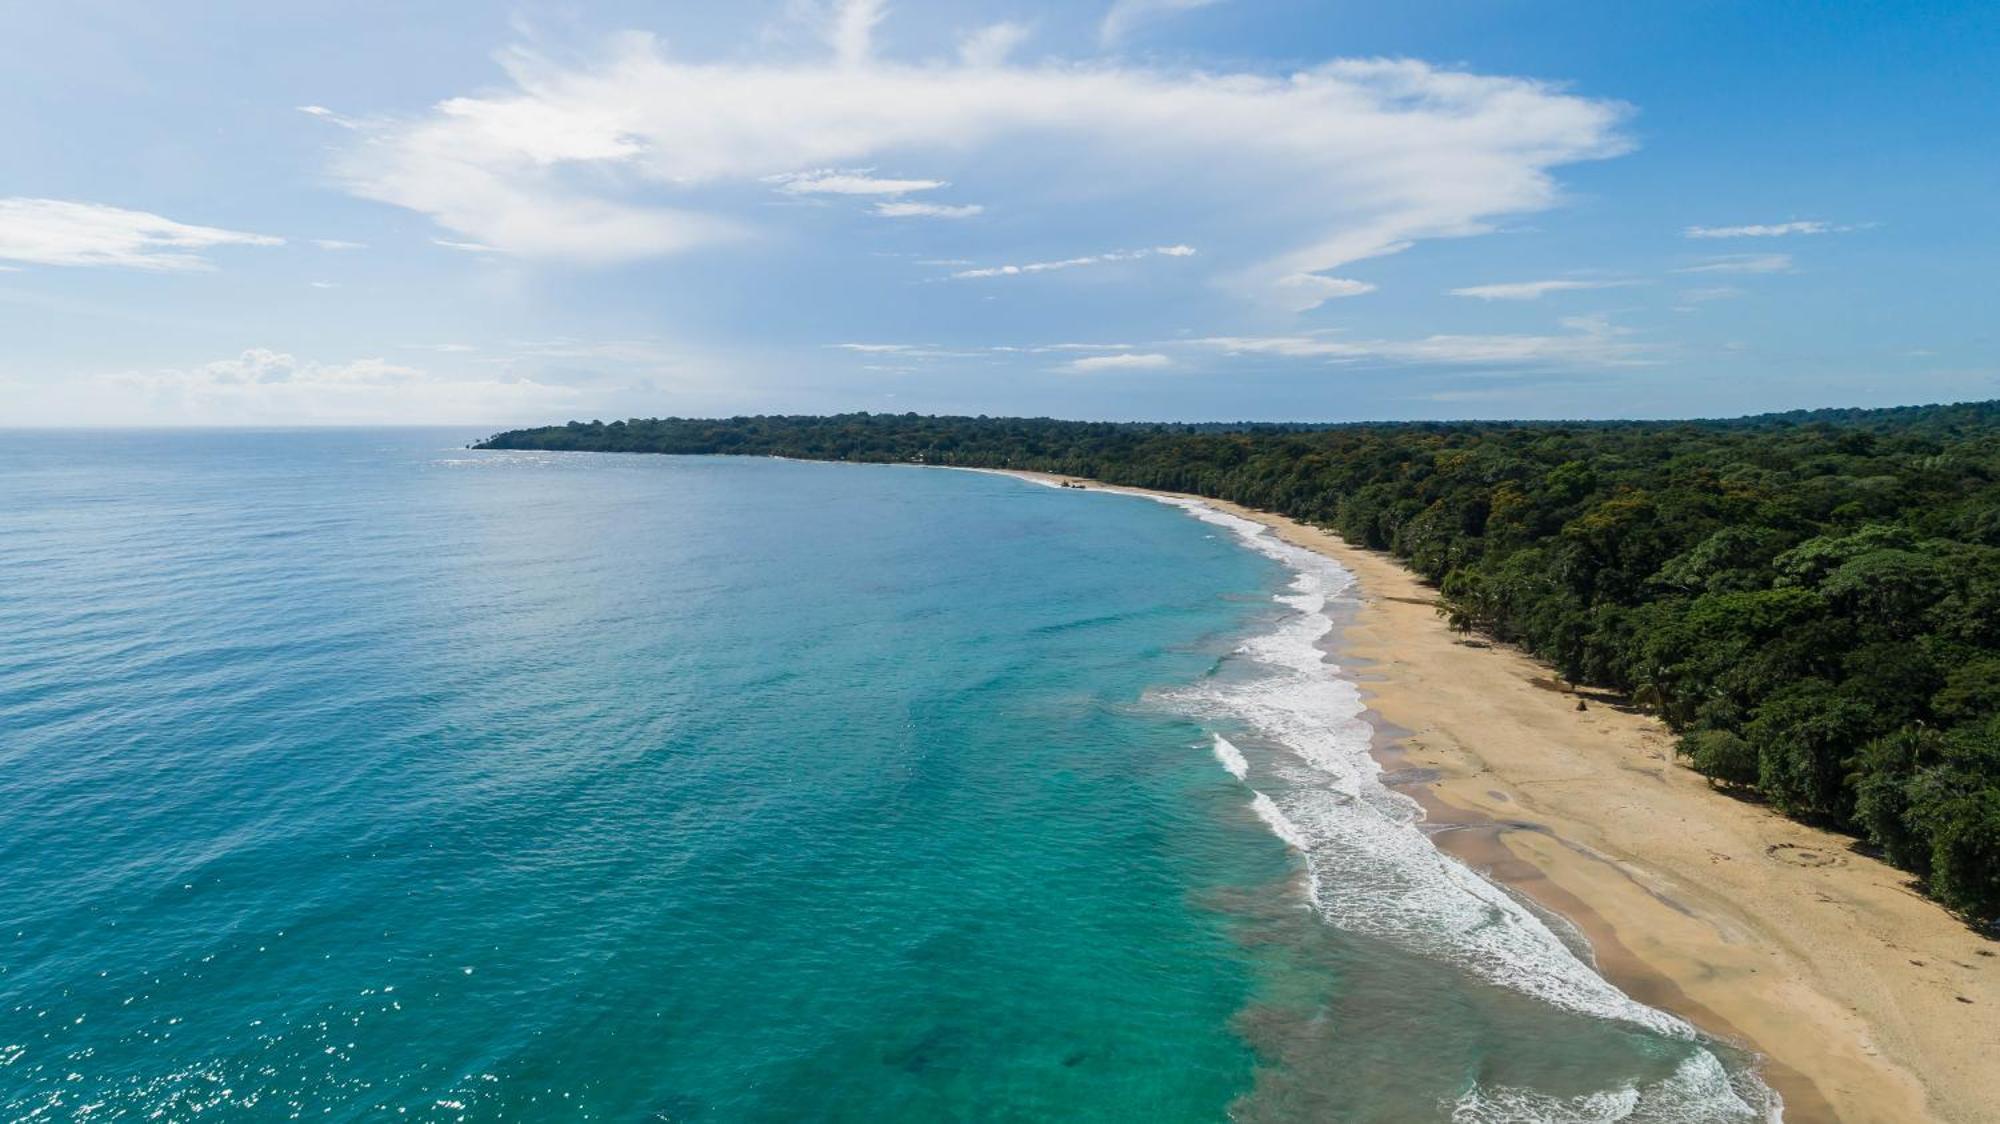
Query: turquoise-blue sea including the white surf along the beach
351	775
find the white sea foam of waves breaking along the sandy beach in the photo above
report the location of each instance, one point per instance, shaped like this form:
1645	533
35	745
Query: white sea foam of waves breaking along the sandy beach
1373	871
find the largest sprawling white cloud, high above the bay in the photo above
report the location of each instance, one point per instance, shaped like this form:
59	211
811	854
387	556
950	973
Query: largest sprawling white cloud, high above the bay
635	155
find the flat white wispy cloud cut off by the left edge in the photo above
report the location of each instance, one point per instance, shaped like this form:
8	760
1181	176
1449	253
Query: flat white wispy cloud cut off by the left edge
59	233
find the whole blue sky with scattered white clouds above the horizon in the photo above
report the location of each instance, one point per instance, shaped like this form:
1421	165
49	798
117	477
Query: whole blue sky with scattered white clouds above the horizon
487	215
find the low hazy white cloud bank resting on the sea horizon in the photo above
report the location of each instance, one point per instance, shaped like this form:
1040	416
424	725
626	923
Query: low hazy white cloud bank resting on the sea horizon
267	389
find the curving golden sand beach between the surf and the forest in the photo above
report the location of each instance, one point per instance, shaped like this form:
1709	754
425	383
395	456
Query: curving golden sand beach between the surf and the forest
1865	999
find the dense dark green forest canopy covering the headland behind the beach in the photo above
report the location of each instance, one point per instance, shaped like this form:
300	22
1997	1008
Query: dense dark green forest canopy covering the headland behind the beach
1811	601
